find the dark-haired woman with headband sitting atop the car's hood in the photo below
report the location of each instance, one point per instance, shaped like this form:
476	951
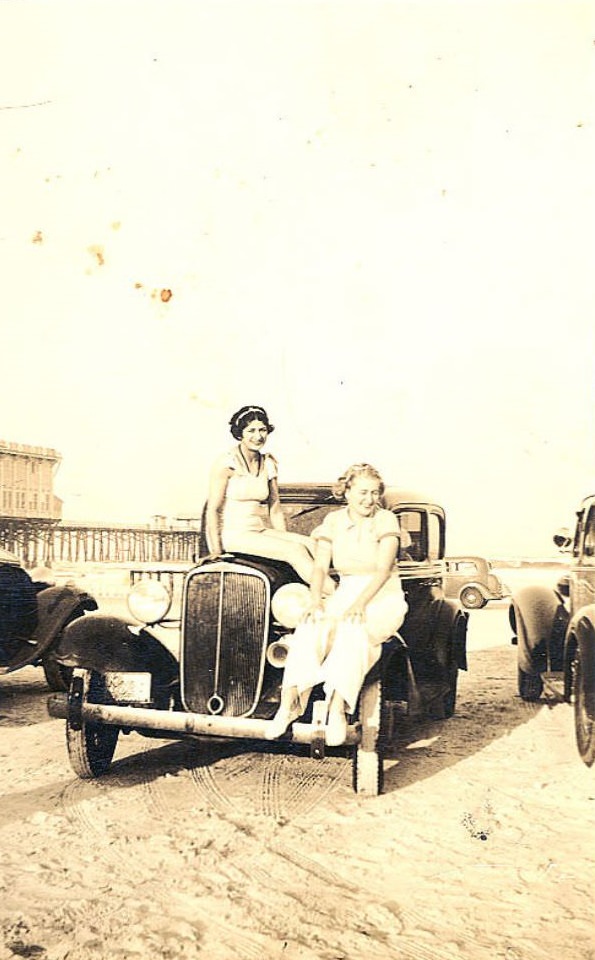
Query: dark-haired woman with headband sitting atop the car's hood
244	513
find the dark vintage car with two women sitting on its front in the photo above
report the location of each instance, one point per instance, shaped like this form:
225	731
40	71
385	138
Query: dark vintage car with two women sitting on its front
218	673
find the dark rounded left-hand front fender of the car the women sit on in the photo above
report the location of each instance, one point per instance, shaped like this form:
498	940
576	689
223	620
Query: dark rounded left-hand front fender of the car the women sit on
106	643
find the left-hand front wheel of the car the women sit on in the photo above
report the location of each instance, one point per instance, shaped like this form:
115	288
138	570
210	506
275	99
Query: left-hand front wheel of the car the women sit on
90	746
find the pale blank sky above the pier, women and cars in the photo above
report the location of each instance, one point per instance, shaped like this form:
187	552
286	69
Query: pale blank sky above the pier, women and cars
376	219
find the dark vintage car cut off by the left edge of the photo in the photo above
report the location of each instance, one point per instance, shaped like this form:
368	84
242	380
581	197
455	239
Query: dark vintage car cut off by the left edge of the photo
33	614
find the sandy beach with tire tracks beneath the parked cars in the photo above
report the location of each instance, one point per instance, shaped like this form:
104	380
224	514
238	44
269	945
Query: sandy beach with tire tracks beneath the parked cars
480	846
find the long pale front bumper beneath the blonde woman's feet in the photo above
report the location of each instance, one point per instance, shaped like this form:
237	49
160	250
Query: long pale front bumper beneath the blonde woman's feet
178	723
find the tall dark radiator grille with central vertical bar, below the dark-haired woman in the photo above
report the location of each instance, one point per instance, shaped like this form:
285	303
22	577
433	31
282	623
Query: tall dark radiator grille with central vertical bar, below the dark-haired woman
225	621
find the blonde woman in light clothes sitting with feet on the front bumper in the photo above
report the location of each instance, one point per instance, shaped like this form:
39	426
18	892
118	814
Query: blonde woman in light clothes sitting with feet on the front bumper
340	638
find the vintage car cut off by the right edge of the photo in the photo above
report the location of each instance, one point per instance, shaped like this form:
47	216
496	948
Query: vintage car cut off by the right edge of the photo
554	631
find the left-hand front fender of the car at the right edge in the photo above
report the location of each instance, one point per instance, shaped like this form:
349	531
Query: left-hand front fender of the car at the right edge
533	613
